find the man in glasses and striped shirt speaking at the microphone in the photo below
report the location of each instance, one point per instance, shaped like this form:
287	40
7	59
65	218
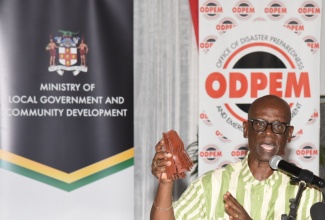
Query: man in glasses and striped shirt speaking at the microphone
248	189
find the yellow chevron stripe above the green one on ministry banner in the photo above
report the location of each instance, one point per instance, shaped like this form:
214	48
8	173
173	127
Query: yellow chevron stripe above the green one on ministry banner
62	176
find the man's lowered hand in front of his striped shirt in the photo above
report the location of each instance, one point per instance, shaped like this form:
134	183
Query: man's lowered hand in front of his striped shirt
234	209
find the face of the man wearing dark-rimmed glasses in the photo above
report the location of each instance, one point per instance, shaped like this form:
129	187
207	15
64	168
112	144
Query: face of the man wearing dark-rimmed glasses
264	145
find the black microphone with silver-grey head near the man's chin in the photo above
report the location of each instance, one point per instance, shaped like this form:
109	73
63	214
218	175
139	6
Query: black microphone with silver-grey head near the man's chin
276	162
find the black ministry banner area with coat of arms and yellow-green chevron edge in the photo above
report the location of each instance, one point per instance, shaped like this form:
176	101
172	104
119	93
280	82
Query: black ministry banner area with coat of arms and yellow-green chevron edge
66	72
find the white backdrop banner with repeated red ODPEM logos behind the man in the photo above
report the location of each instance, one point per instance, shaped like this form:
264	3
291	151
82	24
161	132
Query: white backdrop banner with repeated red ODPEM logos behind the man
249	49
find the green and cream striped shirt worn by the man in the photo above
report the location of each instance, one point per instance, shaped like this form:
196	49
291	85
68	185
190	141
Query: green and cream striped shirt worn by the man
263	200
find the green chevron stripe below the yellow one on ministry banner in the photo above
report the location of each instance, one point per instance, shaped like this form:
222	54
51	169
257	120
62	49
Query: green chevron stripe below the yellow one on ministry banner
62	185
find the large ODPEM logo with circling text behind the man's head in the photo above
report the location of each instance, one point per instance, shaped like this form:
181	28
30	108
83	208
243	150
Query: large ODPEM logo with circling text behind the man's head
237	78
